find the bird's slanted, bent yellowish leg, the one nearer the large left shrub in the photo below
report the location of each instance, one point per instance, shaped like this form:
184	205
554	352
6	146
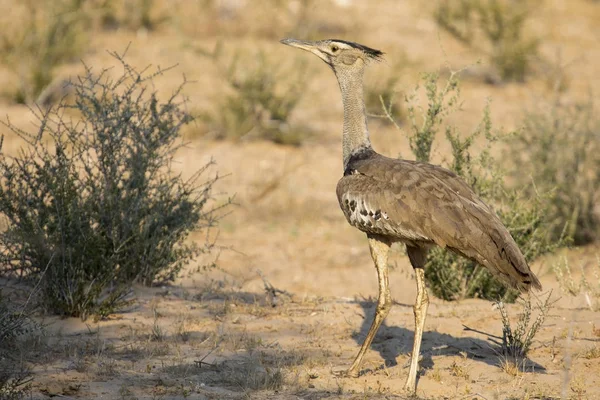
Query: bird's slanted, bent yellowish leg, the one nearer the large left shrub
379	251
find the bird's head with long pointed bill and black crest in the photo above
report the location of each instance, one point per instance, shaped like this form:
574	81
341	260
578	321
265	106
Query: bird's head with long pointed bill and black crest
338	54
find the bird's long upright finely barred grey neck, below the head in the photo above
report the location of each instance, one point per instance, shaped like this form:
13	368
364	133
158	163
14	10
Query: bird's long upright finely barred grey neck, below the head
356	133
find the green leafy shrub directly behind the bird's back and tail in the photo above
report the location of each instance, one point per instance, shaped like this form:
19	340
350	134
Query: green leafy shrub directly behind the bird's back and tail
449	276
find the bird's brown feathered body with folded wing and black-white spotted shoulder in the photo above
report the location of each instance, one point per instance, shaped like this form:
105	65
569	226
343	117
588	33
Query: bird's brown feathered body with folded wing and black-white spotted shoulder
418	202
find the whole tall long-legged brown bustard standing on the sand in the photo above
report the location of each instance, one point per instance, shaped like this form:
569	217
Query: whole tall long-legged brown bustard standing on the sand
419	204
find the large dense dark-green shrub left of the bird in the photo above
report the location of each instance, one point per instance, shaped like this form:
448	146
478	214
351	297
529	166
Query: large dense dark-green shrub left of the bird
93	205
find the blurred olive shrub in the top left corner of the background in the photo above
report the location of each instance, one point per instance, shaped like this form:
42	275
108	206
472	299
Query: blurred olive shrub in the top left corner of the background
44	36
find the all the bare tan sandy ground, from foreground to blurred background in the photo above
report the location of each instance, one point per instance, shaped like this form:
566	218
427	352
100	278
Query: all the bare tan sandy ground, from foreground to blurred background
219	335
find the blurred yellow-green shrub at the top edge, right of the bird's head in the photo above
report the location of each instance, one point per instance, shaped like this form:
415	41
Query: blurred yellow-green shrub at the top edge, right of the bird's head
499	24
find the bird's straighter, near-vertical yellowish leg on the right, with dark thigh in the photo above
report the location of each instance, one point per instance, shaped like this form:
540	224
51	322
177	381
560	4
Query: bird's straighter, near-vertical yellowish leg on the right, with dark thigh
417	257
